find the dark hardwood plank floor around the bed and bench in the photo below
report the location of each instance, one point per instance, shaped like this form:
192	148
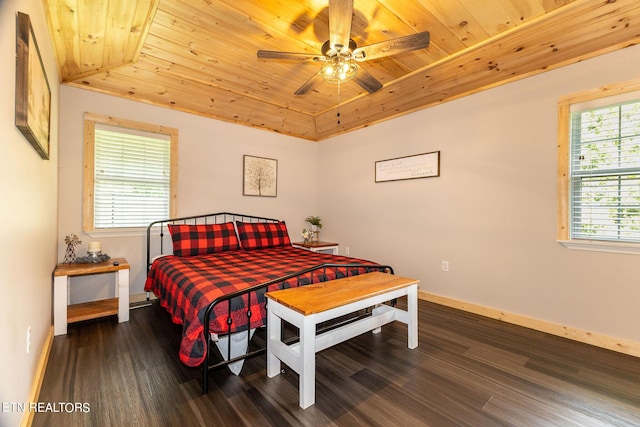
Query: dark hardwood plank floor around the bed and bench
467	370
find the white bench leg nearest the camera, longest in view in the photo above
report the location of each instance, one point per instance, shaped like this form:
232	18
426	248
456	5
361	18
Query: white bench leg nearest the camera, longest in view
308	357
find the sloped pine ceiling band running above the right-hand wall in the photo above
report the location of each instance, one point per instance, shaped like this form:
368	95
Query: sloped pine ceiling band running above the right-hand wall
539	46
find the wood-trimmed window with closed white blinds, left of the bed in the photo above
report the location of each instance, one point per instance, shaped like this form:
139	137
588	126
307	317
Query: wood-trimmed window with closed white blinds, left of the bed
130	173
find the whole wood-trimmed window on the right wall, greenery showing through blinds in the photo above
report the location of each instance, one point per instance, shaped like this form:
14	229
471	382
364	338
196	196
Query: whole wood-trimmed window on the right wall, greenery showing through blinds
599	166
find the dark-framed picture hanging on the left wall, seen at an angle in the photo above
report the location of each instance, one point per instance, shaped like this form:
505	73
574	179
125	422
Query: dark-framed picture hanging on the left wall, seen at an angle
33	94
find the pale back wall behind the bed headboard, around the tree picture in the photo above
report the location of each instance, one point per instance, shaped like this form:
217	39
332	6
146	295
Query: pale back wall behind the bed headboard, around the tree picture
209	177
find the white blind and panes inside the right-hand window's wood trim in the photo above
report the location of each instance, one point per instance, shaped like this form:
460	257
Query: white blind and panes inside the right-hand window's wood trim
605	172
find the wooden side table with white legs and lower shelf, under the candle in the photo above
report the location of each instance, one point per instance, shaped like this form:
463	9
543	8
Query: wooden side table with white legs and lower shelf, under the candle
63	313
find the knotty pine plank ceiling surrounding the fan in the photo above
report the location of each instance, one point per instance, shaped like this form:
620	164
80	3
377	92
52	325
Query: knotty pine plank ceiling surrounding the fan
199	56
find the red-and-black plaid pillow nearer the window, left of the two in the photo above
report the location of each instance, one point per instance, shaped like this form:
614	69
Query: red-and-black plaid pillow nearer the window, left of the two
200	239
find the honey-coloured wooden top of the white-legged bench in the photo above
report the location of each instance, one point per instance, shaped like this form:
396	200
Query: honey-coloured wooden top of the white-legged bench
319	297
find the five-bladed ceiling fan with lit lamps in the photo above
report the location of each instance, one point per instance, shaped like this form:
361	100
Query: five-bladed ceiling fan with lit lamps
340	55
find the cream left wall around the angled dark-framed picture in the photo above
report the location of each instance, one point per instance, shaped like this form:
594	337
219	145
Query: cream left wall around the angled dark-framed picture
28	214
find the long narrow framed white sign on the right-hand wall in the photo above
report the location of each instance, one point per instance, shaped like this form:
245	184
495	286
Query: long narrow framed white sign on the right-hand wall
424	165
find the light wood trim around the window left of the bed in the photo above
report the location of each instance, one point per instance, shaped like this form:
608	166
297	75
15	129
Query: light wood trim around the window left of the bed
90	122
